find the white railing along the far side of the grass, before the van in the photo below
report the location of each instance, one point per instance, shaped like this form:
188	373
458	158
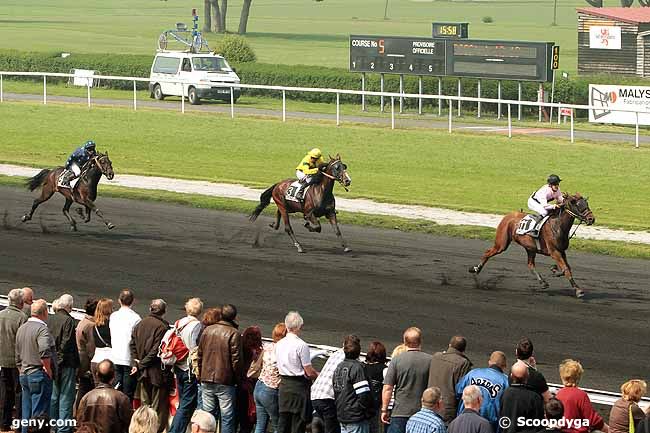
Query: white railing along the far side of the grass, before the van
450	99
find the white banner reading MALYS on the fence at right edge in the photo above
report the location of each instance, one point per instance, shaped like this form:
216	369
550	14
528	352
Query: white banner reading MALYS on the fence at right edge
607	98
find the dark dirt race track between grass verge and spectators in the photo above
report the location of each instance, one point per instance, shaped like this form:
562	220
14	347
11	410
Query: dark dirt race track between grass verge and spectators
390	281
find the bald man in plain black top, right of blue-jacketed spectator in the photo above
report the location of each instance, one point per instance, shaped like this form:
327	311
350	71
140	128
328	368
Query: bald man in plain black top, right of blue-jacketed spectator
520	401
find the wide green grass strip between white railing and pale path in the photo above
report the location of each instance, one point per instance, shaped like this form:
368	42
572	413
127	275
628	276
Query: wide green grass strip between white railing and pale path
463	171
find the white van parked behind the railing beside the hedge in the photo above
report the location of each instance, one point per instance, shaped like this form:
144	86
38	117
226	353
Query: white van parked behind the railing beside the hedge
176	73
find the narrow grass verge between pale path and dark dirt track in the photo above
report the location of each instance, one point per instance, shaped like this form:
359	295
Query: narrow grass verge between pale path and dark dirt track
617	249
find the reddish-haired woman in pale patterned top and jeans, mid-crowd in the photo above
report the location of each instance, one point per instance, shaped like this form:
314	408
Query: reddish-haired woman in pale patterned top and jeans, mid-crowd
266	388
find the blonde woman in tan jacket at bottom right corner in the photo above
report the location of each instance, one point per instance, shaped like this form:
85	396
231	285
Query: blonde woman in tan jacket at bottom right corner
626	413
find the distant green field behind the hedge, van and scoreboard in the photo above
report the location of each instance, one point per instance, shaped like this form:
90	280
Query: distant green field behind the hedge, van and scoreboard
291	31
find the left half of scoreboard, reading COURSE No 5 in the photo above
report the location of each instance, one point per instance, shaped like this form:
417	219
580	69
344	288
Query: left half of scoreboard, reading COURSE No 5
397	55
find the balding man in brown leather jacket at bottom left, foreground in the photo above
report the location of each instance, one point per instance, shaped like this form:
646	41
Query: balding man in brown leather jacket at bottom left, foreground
105	405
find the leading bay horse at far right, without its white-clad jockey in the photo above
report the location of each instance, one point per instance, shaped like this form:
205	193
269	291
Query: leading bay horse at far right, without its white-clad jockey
553	238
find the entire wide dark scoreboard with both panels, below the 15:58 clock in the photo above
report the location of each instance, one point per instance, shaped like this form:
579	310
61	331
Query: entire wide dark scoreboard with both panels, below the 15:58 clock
508	60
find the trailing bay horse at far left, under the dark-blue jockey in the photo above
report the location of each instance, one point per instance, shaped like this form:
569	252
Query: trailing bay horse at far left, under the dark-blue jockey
84	192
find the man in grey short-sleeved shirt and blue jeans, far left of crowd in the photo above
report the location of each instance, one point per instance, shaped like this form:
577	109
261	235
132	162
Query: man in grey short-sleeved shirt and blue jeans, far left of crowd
36	362
